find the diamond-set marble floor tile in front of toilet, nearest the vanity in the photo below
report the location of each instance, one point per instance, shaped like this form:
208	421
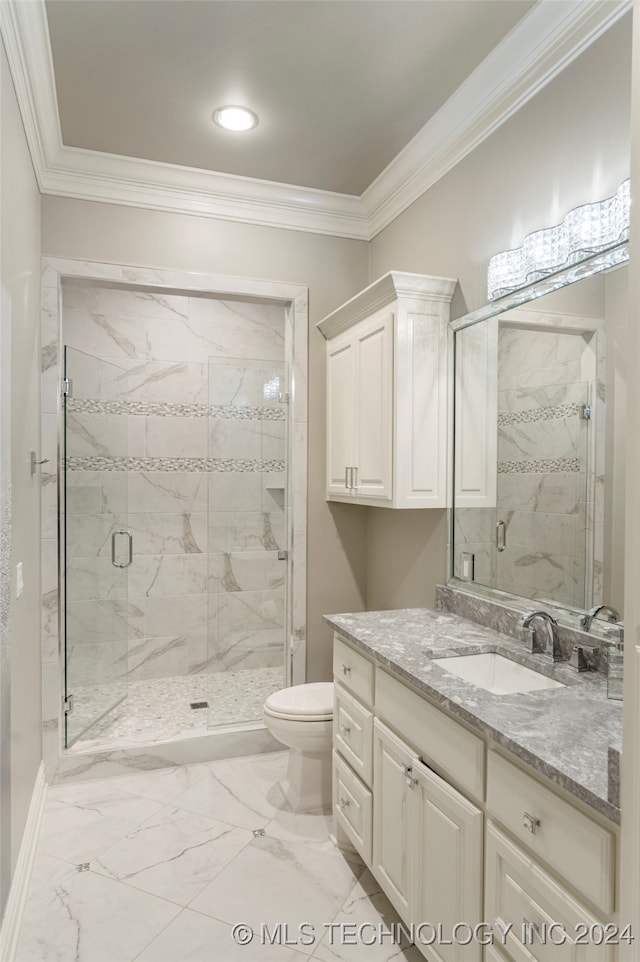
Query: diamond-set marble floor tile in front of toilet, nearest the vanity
281	883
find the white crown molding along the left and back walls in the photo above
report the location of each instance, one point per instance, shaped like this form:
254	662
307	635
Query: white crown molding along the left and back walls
111	178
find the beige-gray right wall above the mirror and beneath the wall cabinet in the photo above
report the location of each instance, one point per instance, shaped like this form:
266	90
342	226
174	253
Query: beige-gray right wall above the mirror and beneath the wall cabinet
569	145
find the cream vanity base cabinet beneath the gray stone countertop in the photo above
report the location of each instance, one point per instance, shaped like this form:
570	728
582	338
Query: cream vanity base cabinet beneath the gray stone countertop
455	832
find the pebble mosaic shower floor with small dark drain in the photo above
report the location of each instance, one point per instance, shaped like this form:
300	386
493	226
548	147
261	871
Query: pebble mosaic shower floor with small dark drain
160	708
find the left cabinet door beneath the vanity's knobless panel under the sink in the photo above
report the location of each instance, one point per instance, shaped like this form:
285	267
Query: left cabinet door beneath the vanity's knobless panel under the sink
393	816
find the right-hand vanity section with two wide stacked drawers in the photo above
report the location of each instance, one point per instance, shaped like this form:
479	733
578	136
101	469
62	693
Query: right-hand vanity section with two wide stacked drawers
550	869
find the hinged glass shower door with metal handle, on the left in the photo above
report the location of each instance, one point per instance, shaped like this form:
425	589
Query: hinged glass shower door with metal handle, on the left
97	542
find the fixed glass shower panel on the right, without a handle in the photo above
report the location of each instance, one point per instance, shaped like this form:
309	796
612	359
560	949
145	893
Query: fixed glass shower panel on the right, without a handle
248	561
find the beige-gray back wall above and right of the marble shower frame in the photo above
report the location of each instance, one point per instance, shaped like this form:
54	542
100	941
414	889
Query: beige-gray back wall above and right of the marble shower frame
333	269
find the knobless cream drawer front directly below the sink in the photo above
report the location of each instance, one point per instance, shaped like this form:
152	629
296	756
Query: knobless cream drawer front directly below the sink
443	744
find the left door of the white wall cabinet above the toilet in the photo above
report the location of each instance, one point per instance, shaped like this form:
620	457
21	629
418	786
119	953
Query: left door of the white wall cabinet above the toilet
341	374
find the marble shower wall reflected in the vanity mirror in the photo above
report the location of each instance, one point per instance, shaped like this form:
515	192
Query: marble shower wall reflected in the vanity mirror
544	494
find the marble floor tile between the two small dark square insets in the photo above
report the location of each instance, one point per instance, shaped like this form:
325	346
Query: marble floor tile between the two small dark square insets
174	854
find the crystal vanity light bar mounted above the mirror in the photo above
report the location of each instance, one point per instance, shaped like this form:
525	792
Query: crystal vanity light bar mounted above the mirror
586	231
